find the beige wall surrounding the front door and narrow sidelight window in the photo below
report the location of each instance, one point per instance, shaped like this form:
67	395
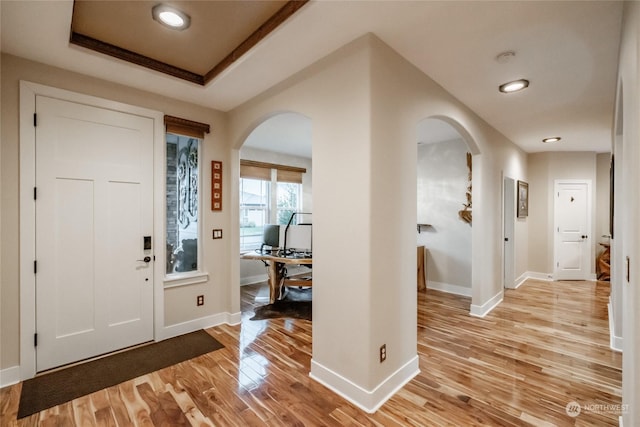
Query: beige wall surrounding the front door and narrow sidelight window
179	302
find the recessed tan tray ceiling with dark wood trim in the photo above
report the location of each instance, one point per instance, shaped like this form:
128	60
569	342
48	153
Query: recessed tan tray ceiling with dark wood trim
220	33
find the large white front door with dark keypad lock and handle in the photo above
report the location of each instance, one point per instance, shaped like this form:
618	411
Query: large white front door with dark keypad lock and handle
94	179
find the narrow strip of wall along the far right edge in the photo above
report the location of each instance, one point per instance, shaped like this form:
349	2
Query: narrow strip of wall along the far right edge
627	235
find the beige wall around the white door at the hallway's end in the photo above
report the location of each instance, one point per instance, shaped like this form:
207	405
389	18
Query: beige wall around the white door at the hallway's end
544	168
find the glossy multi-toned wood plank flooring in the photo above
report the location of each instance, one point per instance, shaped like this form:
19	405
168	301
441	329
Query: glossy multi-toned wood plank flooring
544	346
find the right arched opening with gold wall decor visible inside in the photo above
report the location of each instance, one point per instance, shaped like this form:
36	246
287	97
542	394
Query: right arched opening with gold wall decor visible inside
445	204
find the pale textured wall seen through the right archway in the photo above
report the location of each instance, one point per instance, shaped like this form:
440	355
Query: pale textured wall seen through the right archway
442	186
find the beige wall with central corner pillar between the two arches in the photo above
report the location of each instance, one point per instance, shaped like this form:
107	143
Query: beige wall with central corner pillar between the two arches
365	102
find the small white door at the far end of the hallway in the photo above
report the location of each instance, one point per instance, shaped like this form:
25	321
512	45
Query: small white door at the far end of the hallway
572	230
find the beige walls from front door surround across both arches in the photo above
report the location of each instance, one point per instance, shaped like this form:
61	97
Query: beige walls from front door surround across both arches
365	102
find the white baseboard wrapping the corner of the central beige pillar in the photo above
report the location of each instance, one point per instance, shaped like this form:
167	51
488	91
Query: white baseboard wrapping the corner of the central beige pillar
367	400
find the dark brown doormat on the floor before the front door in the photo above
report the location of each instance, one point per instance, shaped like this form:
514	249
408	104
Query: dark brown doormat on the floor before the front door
67	384
